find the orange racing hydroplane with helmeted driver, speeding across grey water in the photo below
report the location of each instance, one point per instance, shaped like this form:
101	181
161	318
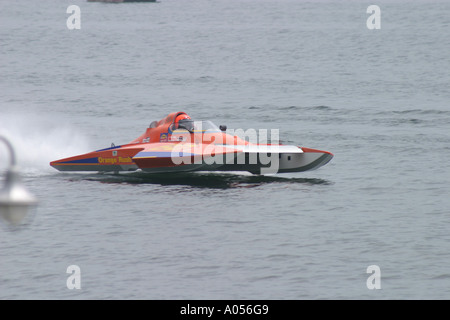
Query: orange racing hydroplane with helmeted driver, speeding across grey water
177	143
